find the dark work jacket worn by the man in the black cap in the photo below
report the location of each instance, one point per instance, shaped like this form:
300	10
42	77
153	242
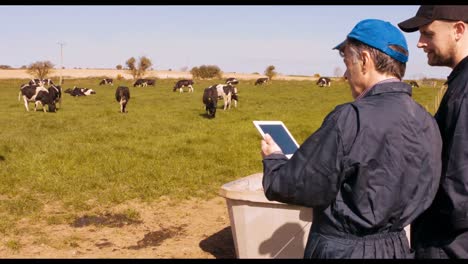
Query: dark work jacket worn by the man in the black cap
444	226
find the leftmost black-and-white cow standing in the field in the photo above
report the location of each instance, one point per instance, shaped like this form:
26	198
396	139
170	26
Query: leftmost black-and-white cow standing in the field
40	96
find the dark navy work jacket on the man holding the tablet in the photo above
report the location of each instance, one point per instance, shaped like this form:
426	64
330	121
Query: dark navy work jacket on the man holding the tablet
371	168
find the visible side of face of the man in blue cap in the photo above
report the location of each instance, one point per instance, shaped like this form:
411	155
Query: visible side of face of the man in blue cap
353	73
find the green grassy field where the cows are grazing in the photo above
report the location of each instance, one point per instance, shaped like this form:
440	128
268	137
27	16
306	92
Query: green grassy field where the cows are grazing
88	154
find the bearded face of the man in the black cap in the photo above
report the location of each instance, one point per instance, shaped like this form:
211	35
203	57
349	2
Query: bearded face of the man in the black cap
437	40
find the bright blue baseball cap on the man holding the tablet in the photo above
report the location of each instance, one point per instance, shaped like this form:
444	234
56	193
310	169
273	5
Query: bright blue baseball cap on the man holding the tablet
379	34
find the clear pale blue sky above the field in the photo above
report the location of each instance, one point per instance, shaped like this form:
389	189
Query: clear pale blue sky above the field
297	40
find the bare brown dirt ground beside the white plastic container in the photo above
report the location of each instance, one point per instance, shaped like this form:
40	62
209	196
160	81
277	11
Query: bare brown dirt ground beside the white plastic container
191	229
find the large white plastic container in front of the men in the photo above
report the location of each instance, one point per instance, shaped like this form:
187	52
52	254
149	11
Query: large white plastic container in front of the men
262	228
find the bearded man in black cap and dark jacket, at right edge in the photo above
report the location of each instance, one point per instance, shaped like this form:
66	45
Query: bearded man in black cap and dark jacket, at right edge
442	230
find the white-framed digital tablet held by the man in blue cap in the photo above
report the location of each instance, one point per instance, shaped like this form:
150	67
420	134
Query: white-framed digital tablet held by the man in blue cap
280	134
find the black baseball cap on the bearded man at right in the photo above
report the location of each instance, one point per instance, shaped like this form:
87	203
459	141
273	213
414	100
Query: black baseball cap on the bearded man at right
428	13
